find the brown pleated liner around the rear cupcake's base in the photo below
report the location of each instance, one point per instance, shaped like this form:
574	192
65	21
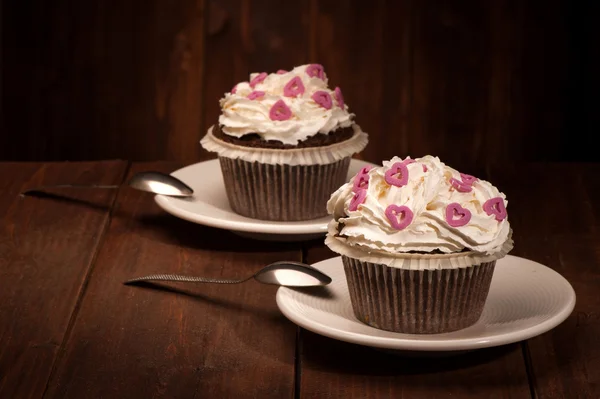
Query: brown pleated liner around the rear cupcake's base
281	192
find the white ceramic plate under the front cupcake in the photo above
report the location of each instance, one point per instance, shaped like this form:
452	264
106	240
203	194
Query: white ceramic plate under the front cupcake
526	299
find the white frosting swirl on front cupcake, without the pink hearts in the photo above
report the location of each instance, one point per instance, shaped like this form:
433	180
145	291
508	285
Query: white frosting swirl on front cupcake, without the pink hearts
427	194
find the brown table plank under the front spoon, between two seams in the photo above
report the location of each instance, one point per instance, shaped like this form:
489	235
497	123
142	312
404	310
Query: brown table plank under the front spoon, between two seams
193	341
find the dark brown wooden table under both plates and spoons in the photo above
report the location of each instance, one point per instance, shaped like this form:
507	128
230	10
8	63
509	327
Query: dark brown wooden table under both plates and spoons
69	328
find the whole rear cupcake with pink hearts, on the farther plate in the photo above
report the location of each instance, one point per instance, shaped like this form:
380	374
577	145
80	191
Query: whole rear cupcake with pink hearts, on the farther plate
284	141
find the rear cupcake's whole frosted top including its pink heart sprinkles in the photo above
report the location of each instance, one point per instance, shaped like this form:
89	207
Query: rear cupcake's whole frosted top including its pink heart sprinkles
284	106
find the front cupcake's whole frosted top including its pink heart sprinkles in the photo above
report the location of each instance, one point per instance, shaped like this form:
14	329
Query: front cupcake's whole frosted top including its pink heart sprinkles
421	206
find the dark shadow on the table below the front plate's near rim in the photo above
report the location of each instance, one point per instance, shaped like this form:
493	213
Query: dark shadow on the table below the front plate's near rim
327	354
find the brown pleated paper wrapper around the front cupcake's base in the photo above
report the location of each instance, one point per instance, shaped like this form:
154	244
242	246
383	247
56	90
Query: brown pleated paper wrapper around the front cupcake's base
417	301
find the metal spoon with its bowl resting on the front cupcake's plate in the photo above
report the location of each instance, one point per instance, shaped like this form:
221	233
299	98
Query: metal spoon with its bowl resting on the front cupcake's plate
284	273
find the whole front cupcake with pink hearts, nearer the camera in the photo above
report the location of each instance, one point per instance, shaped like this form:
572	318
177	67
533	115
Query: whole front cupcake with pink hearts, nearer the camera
419	242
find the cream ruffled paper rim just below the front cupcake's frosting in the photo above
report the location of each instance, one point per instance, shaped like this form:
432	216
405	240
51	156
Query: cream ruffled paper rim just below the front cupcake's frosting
414	261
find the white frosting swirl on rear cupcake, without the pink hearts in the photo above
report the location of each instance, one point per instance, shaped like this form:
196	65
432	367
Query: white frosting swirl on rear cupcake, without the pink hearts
241	116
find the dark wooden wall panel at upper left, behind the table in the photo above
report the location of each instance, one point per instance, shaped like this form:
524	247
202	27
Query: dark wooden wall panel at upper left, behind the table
98	80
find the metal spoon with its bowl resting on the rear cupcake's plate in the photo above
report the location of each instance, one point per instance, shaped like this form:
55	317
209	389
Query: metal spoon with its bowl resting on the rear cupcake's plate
153	182
